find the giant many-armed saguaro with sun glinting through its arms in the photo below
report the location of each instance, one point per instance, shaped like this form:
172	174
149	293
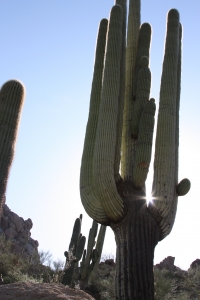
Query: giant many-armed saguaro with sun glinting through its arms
118	143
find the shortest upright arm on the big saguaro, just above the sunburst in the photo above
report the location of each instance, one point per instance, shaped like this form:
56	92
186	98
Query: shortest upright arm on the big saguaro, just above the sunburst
144	145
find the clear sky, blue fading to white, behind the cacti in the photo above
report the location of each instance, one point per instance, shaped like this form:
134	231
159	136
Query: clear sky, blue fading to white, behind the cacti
49	45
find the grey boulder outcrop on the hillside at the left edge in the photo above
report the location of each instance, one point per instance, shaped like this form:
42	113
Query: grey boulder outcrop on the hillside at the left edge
17	230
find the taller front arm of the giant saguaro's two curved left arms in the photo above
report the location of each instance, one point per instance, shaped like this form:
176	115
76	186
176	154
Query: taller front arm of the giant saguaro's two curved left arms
104	155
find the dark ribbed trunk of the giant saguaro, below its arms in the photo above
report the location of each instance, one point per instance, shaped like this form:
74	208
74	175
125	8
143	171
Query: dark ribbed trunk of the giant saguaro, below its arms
136	237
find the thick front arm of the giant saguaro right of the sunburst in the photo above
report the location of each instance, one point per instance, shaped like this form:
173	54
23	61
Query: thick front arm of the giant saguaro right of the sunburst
164	163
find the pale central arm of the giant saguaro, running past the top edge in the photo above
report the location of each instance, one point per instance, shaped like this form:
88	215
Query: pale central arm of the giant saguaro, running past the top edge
131	52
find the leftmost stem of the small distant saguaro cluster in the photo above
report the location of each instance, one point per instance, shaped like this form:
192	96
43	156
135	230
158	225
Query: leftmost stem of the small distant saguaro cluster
74	253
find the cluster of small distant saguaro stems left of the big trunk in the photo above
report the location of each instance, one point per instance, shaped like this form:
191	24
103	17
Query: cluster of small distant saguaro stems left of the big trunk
90	256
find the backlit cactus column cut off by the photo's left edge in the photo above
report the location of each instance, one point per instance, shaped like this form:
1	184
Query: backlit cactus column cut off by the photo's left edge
12	96
